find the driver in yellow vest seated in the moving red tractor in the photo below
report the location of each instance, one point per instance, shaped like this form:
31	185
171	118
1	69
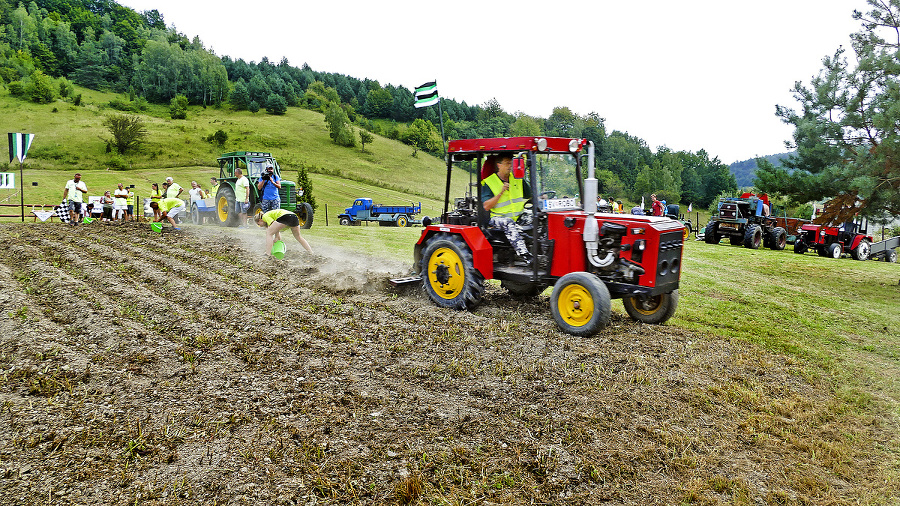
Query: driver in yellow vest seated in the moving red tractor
505	197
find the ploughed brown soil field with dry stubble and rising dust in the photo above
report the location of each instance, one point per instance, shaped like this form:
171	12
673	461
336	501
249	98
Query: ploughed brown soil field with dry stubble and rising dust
185	367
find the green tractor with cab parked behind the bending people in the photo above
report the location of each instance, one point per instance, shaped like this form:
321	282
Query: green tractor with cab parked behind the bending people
252	164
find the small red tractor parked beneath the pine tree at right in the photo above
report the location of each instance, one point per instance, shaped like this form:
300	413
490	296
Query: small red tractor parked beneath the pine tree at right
834	241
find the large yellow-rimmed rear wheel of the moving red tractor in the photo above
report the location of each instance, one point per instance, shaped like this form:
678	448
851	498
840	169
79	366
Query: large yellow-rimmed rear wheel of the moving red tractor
449	274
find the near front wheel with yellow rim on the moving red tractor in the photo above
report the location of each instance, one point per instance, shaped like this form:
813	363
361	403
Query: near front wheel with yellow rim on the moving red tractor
580	304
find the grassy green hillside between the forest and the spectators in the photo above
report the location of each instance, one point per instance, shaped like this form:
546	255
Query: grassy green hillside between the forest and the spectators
72	138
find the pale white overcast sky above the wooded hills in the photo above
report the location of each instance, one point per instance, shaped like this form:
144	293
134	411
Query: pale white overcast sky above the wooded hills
688	74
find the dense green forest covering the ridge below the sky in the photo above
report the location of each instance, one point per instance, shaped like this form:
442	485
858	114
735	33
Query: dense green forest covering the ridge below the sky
46	45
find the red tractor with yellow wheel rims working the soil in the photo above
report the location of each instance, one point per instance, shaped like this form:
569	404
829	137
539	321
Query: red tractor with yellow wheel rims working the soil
586	256
